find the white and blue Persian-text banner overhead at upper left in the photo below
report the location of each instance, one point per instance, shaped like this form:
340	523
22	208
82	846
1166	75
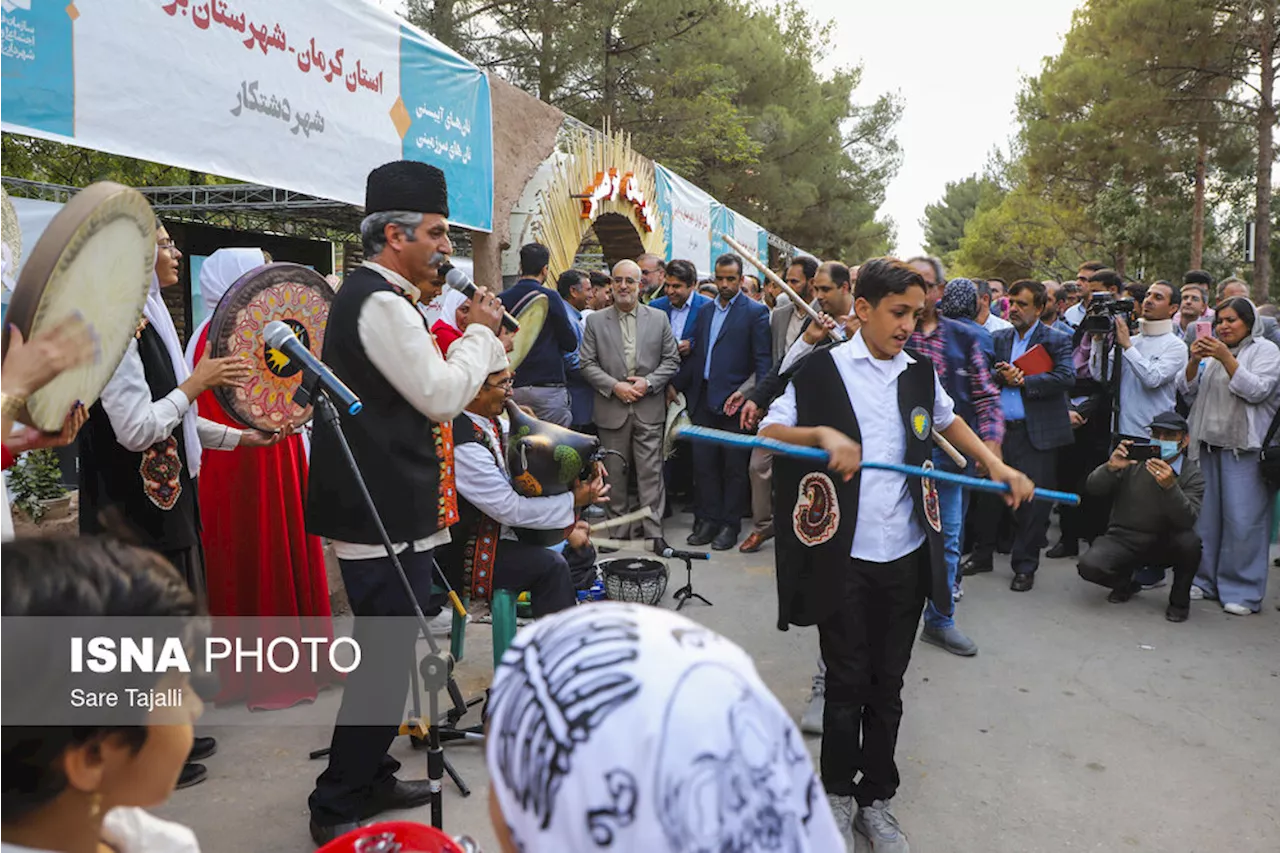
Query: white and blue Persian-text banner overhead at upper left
307	95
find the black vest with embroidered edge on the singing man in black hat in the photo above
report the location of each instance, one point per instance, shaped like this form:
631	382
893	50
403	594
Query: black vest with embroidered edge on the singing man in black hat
405	459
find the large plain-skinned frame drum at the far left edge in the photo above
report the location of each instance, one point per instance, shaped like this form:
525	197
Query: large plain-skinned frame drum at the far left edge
95	262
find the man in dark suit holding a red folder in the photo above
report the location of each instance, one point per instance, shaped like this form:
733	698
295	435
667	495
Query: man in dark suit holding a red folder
1036	416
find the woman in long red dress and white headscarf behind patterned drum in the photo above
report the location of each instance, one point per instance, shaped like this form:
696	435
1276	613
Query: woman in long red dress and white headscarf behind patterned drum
260	559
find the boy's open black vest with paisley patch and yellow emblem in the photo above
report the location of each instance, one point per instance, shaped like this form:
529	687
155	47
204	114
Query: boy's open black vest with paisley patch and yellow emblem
817	513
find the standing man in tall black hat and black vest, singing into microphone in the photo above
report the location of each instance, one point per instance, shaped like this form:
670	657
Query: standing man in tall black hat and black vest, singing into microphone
380	345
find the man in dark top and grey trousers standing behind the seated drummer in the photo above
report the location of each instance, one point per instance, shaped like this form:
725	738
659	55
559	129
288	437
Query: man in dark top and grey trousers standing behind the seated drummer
541	382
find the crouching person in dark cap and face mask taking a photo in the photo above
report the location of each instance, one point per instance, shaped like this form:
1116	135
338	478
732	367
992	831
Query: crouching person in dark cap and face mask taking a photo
1156	498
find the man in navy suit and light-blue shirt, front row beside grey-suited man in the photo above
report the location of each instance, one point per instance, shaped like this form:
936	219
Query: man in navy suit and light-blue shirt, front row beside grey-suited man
730	353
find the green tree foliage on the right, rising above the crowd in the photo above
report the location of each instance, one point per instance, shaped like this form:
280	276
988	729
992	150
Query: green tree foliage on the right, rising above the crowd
1112	135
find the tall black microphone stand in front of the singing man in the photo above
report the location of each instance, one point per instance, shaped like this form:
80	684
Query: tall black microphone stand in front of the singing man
437	668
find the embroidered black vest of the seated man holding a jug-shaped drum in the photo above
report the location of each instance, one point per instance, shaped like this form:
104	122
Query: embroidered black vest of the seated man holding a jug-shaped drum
468	562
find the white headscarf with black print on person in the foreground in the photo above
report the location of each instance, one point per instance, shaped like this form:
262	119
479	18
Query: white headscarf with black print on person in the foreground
630	728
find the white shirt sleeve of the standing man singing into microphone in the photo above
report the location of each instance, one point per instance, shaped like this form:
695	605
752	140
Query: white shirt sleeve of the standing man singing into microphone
405	353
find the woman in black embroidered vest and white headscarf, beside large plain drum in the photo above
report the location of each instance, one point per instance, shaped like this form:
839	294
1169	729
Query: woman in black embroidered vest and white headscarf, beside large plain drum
141	451
